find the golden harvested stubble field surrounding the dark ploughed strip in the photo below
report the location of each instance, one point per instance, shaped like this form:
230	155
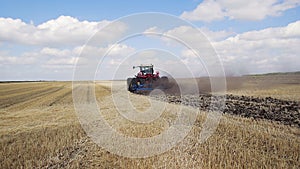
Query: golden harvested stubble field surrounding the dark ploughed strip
40	128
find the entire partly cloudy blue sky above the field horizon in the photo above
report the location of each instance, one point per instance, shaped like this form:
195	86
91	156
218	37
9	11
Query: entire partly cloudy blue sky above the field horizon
44	40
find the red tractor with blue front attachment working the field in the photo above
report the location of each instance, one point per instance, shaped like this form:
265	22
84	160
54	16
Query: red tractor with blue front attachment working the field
146	80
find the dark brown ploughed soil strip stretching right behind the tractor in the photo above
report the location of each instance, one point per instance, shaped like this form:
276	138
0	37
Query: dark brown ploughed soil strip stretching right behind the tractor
286	112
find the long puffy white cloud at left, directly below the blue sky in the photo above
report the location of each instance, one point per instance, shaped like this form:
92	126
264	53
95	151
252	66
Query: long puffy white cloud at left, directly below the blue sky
63	31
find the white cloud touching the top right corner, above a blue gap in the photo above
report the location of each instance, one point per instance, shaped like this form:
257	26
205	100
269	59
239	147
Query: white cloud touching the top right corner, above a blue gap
210	10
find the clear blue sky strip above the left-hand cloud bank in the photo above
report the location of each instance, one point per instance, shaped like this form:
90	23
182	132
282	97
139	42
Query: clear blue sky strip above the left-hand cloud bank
41	11
